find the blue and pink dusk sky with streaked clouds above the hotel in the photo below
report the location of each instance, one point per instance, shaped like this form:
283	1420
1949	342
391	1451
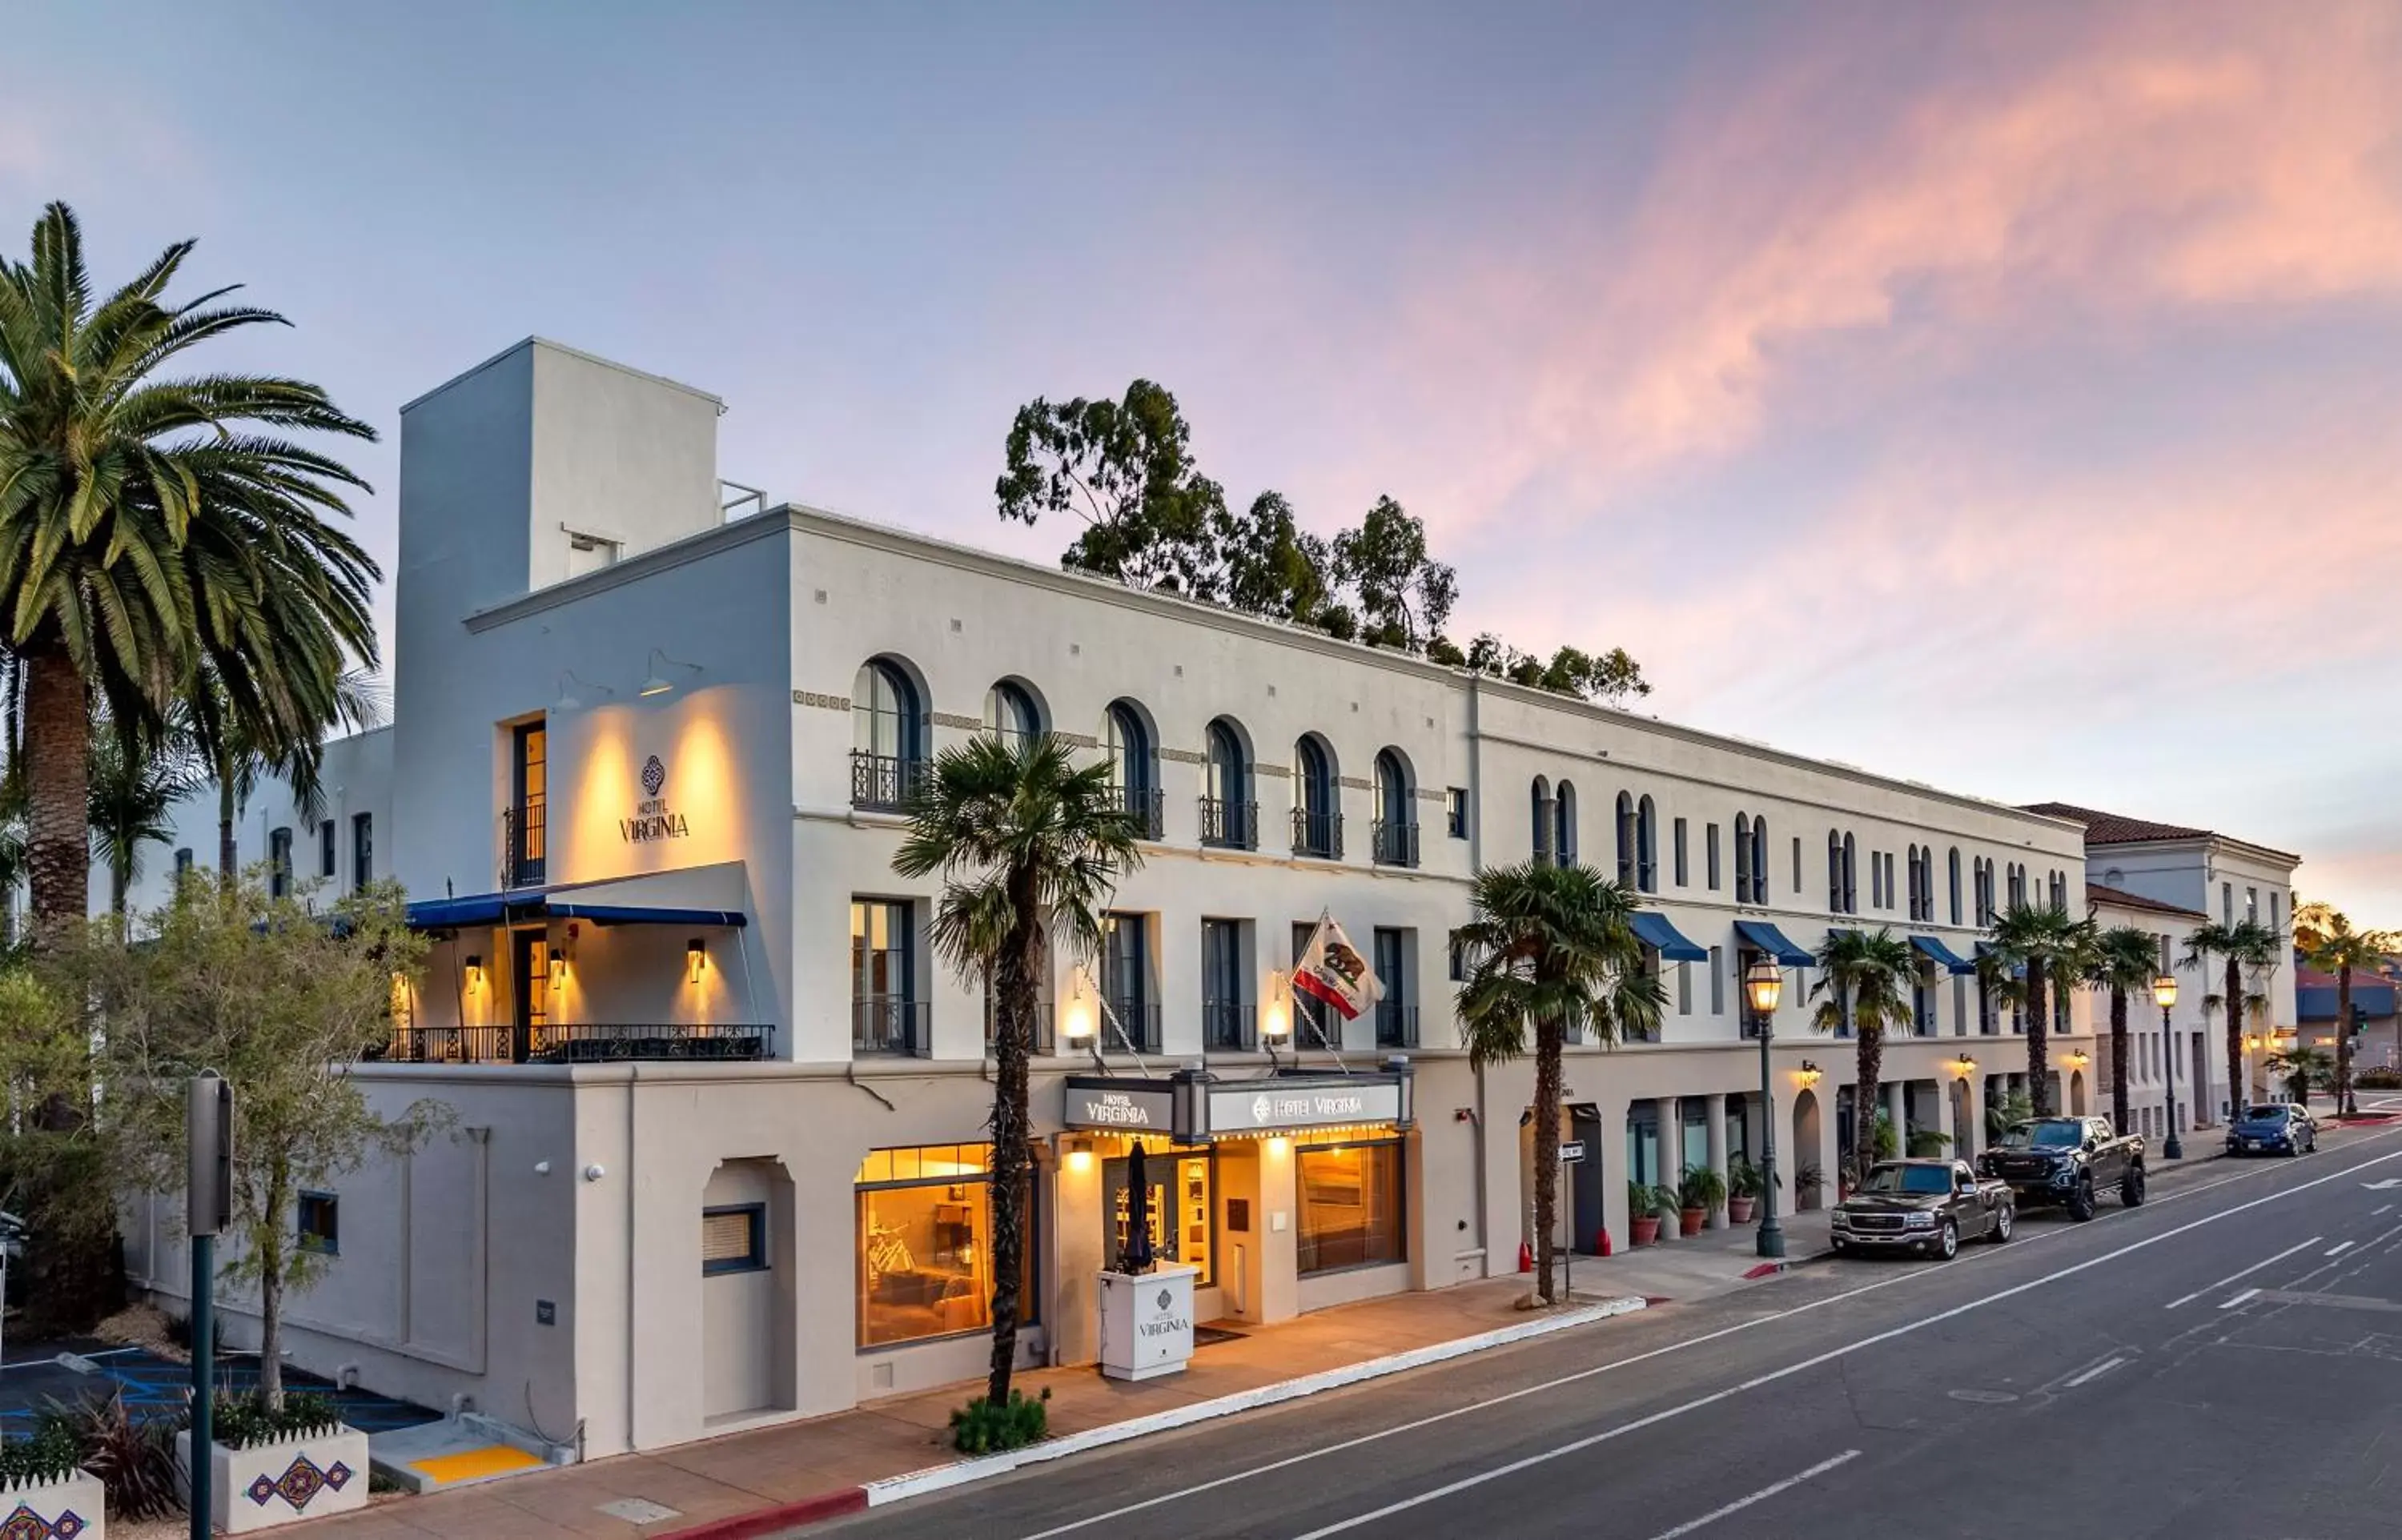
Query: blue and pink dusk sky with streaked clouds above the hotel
2002	398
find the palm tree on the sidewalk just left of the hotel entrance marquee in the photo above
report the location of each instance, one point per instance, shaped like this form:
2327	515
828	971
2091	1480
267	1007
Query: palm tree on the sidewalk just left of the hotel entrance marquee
1029	849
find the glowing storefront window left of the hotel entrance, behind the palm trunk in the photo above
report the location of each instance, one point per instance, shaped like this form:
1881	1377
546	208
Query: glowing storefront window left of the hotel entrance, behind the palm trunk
926	1243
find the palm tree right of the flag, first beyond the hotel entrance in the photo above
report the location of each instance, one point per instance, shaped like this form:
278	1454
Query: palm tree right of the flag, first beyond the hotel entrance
1550	948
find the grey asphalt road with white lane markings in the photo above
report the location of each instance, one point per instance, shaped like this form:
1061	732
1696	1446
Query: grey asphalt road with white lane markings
2225	1361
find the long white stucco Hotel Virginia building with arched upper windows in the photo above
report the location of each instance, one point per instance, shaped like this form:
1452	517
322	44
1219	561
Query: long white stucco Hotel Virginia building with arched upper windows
722	1114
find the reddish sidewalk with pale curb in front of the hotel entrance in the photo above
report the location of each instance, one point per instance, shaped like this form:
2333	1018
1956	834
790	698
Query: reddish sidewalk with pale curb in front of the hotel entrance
717	1484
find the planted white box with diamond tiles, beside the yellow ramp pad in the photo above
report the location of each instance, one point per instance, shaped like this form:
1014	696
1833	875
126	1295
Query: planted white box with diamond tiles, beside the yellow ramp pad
280	1464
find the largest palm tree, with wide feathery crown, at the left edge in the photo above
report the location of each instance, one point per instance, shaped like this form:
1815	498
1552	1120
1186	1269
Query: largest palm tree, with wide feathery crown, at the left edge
155	525
